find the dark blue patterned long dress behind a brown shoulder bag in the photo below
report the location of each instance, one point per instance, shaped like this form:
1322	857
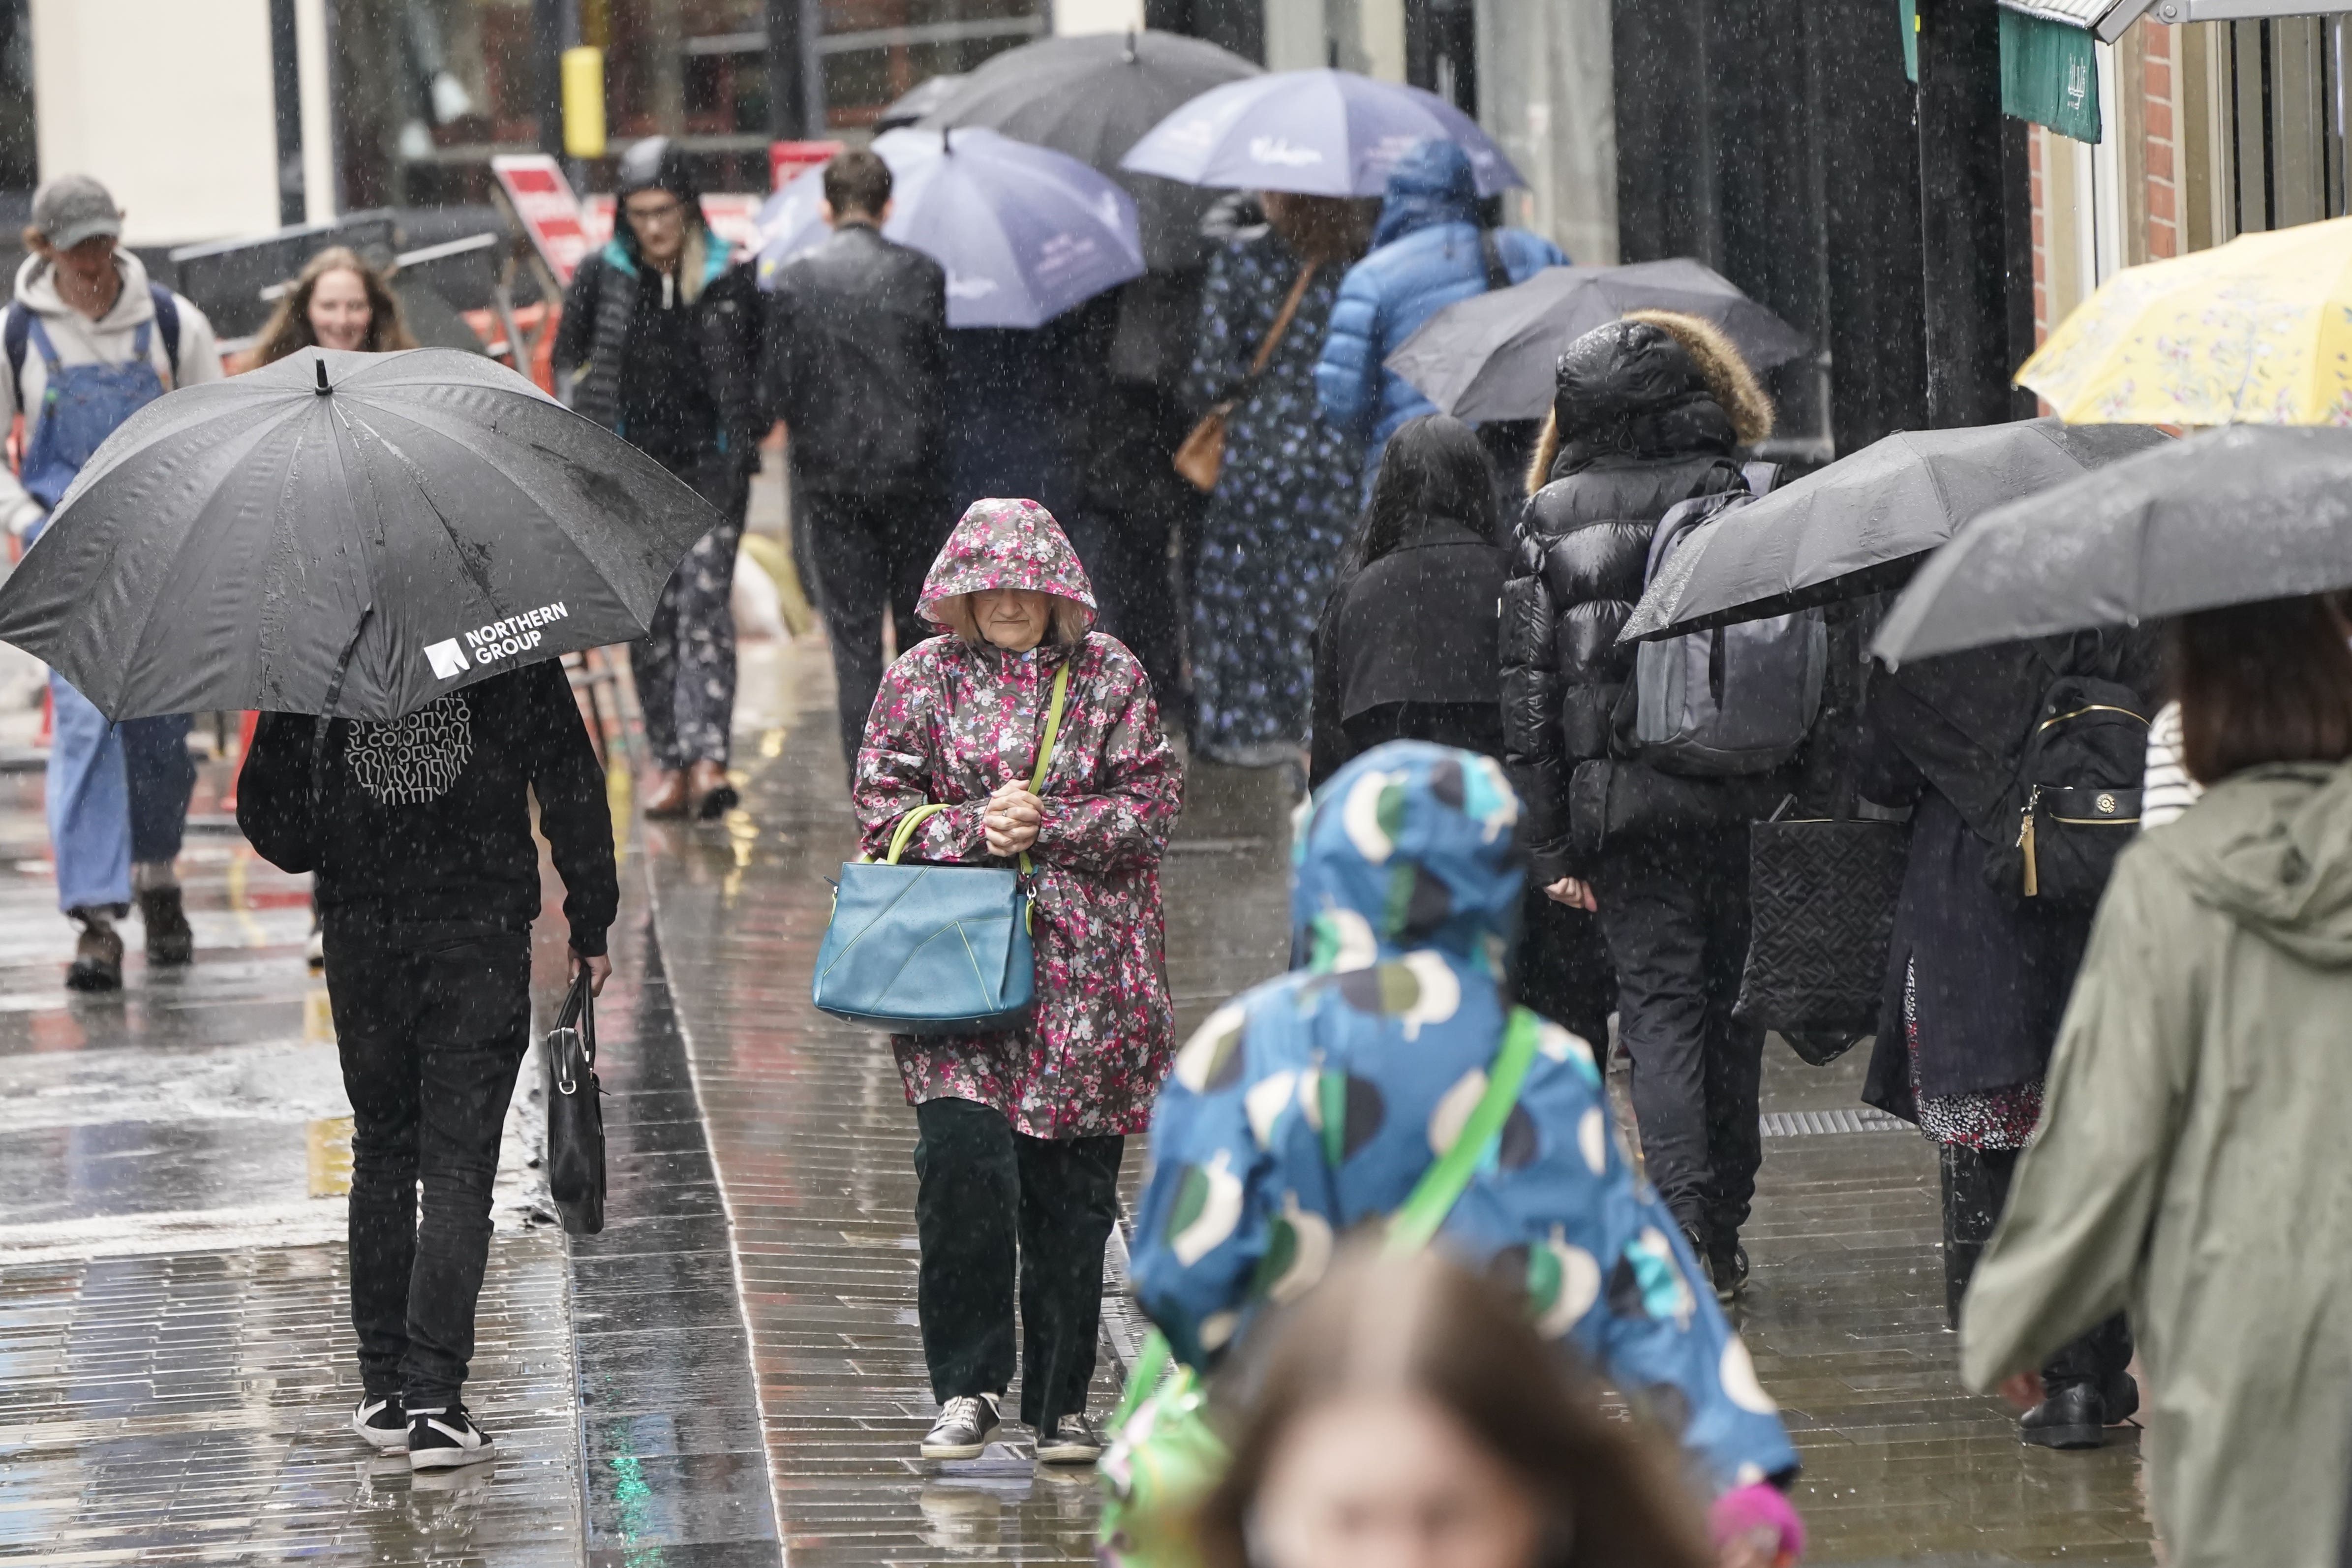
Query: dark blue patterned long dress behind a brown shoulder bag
1281	514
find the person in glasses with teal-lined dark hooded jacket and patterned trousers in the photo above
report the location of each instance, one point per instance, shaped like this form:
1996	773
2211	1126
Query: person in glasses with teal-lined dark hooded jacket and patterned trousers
662	342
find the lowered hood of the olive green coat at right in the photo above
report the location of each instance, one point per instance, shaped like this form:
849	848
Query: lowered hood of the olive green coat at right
2273	850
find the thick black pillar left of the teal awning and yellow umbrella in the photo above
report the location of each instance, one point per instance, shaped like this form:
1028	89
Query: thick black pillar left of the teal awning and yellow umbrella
1963	220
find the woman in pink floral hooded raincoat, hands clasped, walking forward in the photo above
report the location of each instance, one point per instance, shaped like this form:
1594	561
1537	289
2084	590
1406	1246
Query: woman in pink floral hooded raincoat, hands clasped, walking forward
1022	1132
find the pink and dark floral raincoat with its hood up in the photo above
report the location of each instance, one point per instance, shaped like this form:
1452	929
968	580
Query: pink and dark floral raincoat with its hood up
958	721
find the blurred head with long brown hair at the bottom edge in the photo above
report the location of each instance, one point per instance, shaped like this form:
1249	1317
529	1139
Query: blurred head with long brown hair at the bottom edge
1408	1412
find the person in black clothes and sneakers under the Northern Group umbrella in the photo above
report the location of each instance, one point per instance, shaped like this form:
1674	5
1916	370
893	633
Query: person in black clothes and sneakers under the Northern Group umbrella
420	833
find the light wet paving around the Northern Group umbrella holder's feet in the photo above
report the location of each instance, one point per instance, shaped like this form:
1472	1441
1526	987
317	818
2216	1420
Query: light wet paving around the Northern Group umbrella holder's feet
175	1346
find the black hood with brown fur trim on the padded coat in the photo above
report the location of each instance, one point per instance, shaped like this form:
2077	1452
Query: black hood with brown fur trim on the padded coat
1650	384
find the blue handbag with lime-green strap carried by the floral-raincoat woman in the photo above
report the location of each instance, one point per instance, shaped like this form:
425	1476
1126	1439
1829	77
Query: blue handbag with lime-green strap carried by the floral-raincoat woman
933	949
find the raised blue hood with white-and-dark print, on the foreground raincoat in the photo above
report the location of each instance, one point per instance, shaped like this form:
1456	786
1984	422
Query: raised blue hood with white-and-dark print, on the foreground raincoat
1410	845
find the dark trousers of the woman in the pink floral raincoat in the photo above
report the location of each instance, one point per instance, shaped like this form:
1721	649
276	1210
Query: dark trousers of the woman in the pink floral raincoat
987	1195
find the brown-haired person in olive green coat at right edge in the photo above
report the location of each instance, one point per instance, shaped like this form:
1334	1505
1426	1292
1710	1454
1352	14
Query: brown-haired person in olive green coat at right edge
2196	1148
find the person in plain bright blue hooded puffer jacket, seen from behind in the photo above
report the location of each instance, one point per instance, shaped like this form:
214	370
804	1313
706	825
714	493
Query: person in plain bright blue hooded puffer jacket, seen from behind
1424	257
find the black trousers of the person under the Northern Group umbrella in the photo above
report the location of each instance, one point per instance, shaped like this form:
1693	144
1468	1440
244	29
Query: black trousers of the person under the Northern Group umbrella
432	1031
